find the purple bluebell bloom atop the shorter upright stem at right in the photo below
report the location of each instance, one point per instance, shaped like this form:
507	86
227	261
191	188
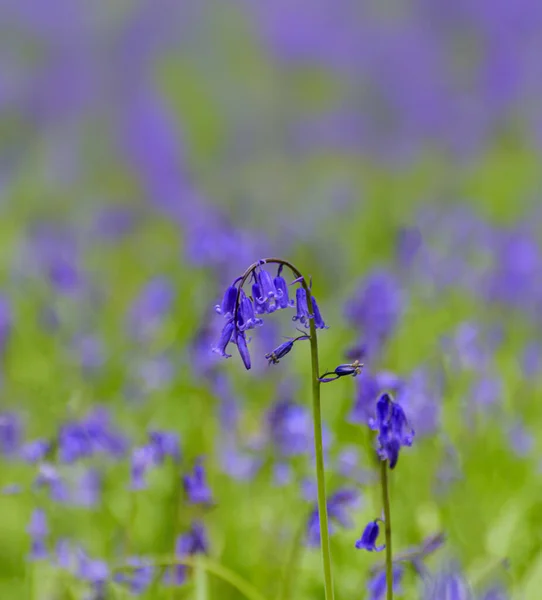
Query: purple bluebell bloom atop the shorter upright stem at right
394	430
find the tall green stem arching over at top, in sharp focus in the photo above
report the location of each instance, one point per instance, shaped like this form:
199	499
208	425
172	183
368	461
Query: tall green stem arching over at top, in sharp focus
316	415
